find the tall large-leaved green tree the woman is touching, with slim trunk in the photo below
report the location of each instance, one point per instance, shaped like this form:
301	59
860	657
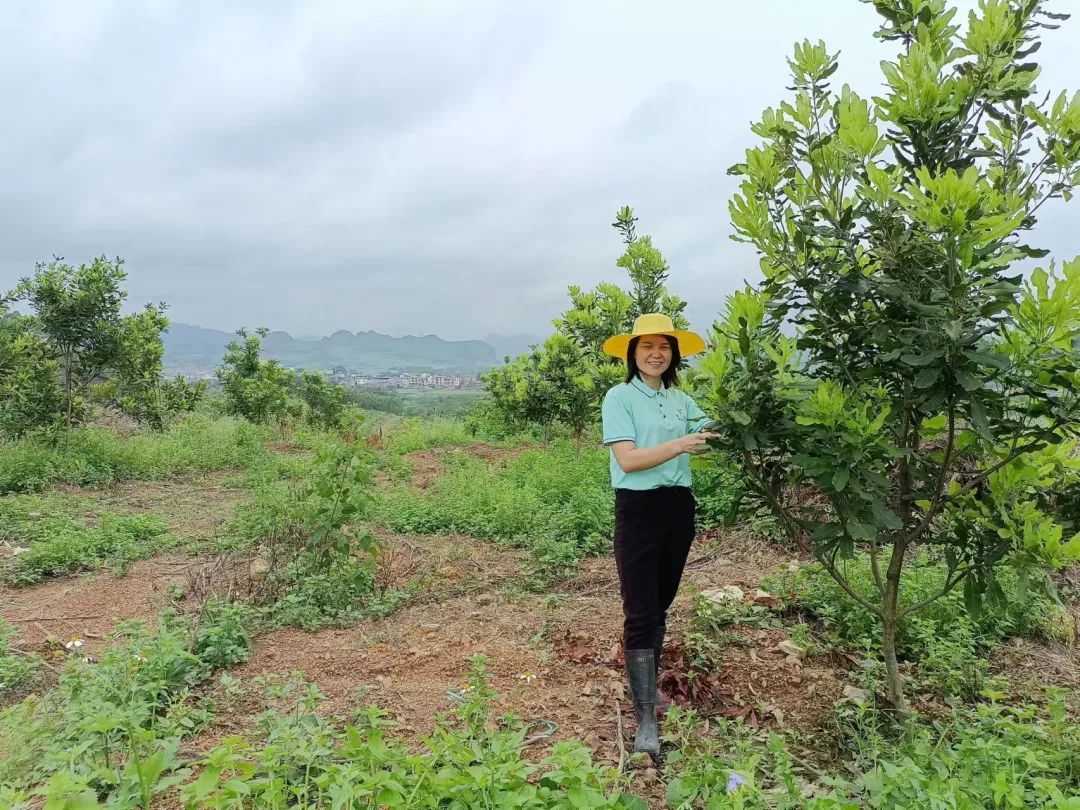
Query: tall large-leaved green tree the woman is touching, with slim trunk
929	393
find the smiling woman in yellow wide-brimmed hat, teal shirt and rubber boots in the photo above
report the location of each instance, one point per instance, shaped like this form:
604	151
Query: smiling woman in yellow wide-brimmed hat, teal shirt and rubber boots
652	428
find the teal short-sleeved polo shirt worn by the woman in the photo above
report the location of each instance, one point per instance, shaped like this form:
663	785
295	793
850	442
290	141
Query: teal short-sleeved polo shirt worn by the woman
634	412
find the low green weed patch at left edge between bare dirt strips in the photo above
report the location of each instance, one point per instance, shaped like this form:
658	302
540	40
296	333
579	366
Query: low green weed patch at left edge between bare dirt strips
50	539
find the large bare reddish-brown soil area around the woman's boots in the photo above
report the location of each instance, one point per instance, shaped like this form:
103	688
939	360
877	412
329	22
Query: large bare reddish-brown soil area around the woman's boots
553	657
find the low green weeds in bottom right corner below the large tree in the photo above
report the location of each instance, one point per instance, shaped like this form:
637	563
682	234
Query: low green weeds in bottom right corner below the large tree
984	757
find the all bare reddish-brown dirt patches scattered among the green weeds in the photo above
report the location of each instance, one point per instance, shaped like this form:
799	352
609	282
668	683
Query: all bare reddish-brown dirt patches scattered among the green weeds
553	656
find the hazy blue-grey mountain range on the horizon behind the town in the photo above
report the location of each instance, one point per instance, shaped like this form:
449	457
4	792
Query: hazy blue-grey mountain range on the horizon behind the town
198	350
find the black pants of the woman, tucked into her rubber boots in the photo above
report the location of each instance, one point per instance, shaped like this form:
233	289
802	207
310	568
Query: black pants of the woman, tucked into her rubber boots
654	530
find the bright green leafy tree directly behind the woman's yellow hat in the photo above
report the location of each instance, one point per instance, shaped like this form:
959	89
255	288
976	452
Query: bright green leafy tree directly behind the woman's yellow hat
563	381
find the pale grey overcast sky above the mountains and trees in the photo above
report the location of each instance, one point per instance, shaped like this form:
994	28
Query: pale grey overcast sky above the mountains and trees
410	168
